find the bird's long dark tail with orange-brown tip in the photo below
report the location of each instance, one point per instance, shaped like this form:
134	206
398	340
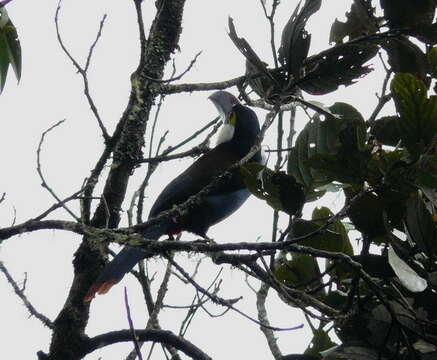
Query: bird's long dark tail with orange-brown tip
122	263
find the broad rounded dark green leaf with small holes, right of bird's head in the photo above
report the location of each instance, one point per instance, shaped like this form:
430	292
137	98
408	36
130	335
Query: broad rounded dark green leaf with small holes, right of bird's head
330	148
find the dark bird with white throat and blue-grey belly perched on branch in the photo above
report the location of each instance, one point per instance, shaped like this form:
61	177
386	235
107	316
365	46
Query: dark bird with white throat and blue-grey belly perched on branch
238	134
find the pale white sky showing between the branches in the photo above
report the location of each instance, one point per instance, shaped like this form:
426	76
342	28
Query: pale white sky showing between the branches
50	91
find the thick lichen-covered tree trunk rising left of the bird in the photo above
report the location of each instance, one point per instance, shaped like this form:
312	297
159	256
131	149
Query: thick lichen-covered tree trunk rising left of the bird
69	337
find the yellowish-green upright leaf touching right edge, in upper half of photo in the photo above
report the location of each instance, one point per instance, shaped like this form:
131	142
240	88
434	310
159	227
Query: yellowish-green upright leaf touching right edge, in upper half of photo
418	113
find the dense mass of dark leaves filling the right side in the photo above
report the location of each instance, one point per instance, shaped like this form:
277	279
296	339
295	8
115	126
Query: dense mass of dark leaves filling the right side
386	168
